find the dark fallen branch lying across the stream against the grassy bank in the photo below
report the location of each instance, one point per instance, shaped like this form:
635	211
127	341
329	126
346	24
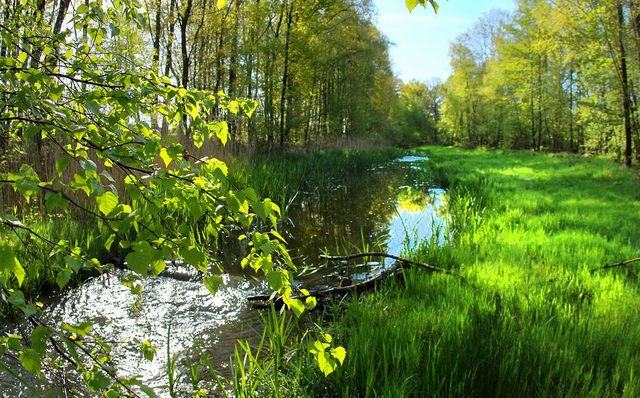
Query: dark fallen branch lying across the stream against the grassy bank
394	269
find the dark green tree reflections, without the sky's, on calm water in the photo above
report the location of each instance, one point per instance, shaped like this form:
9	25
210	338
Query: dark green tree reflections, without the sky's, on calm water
362	206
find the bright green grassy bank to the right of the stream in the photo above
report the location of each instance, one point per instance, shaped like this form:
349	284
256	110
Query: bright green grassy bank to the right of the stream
527	317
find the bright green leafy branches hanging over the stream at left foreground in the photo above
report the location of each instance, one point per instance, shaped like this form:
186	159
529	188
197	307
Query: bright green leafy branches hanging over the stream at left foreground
67	92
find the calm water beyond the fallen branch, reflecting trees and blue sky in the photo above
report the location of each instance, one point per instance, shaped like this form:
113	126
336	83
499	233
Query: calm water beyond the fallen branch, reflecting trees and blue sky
378	210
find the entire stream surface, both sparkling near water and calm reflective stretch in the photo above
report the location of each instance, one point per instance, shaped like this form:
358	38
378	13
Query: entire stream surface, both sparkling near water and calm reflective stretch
377	211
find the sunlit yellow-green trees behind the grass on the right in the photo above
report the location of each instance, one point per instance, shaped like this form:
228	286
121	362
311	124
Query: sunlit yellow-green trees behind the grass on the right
559	75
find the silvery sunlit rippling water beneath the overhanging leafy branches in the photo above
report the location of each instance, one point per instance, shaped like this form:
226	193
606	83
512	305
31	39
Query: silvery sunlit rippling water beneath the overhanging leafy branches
177	312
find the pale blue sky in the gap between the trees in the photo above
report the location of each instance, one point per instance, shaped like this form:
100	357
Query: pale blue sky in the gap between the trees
420	40
